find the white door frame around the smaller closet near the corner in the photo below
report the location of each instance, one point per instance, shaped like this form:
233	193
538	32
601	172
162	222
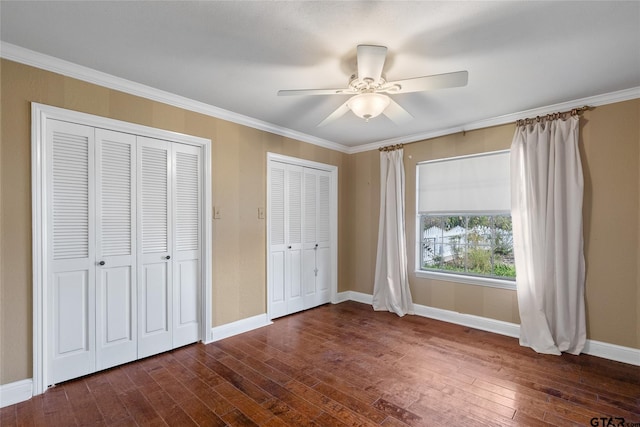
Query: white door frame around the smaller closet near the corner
333	171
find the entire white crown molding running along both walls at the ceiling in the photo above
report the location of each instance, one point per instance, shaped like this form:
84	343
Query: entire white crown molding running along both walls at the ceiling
69	69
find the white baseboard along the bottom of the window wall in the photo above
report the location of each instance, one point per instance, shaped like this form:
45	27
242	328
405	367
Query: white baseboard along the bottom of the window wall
605	350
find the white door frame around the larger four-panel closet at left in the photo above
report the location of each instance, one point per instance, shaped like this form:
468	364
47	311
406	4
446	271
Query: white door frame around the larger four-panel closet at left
40	113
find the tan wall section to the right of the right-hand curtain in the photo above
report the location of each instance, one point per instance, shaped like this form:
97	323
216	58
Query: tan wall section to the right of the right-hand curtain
610	148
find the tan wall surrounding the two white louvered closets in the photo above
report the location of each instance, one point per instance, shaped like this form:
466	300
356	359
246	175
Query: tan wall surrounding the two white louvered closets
239	188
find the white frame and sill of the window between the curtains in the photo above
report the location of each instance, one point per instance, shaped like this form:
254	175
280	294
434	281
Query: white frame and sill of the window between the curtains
443	275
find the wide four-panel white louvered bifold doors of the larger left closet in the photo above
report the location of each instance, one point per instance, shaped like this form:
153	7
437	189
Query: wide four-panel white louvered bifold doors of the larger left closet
124	256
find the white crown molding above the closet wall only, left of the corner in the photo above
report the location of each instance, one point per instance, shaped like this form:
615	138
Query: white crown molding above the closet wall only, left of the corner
69	69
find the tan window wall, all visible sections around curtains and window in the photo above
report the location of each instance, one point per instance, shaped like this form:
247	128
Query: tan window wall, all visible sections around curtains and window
610	147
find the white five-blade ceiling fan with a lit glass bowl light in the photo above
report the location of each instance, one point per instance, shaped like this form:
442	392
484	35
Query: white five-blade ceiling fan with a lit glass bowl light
370	90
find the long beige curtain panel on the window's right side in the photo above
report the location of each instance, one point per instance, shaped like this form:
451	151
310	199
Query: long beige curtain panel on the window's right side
546	198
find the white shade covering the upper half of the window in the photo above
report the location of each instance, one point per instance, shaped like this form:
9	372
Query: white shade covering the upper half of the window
478	183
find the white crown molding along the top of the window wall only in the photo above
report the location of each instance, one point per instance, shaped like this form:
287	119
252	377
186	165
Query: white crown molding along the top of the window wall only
592	101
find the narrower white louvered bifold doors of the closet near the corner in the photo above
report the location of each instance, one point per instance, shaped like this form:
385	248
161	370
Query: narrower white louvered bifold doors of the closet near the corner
299	230
